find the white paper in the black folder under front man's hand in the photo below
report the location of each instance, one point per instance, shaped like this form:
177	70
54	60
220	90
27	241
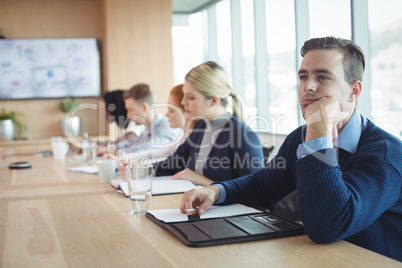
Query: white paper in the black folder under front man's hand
175	215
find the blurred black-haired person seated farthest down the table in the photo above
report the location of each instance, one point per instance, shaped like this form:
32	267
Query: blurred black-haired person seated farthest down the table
115	111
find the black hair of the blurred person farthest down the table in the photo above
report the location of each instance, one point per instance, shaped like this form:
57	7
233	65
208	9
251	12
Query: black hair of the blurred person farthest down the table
114	104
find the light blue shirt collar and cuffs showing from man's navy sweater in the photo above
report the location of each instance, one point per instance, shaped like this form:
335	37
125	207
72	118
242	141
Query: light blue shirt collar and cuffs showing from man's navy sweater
348	139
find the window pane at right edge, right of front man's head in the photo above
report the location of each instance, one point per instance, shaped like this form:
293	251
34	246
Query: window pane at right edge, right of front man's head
385	24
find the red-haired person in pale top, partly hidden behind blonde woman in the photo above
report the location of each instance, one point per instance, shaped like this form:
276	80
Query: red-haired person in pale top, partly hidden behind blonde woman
175	113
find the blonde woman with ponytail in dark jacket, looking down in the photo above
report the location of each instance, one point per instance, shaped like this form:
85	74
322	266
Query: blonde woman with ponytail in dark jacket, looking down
220	145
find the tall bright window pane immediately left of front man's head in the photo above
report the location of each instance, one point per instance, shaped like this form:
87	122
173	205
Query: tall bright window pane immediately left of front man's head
282	75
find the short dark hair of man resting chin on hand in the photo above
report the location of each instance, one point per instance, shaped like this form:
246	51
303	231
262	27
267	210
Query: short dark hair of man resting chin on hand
353	56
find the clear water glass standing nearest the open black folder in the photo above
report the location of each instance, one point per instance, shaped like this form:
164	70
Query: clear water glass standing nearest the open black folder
139	182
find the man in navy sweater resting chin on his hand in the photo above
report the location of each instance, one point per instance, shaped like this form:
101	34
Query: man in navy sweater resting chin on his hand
347	171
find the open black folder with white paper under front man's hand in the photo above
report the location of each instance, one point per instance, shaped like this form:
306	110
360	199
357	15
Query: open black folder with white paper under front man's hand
221	225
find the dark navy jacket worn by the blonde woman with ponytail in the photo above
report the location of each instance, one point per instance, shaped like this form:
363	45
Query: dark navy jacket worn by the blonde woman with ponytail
237	152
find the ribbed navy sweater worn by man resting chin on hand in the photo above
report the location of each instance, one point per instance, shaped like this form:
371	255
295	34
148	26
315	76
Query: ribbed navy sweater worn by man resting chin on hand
356	197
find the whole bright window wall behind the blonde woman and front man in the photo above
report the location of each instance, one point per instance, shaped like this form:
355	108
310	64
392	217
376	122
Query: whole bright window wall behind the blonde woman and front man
269	86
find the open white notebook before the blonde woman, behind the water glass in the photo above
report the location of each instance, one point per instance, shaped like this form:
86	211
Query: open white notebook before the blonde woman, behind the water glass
160	185
